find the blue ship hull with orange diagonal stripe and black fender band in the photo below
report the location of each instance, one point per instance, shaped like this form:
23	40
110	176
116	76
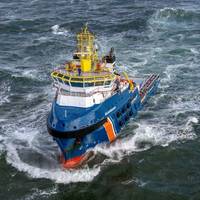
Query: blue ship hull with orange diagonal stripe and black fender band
82	129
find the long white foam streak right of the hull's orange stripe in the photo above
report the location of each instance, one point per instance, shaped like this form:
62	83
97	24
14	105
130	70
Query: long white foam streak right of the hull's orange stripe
146	136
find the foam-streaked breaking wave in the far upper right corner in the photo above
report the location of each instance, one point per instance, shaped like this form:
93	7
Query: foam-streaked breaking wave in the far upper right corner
167	21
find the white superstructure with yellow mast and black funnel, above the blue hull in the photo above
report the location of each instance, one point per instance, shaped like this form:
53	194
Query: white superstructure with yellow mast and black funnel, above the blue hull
86	80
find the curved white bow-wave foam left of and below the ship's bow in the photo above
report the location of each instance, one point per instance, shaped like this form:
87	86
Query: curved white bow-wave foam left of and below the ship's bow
17	139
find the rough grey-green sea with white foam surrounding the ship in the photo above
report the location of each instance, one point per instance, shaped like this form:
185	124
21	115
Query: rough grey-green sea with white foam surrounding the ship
158	154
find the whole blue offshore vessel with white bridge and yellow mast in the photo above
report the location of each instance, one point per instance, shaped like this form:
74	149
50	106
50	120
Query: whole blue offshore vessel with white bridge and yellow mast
93	101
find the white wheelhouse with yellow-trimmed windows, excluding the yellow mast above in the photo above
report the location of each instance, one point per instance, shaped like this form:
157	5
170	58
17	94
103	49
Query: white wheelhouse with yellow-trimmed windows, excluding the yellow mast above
83	91
